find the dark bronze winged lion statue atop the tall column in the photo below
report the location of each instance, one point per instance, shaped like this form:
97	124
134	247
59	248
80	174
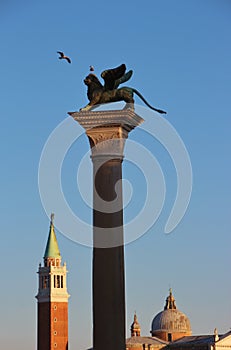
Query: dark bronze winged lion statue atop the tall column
109	92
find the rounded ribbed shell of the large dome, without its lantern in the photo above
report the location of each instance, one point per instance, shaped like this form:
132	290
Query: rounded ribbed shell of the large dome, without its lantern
171	320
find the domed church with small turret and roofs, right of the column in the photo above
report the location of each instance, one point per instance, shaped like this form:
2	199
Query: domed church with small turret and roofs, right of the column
171	330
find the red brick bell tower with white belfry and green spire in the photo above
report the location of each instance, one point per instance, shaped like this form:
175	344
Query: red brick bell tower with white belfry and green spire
52	298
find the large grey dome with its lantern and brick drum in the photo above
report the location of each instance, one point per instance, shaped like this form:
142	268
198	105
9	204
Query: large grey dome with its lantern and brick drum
170	324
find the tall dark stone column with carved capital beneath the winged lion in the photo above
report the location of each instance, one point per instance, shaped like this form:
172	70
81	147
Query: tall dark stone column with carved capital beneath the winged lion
107	132
